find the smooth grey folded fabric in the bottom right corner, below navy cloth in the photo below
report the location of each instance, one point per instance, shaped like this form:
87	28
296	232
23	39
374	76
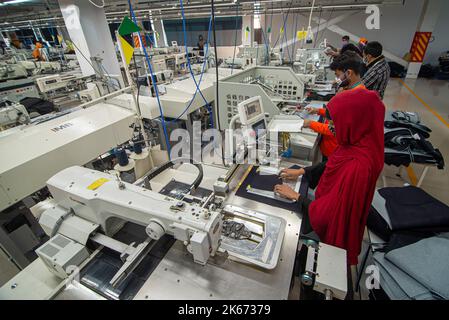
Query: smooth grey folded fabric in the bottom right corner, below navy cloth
426	261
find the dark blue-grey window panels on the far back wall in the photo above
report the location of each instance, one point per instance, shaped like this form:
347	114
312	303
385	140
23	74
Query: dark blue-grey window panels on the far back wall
225	28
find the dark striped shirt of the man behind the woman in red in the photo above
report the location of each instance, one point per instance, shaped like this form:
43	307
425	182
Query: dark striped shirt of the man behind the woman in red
377	76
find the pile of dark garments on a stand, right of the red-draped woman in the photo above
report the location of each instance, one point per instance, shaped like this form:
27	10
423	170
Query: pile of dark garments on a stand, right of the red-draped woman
405	141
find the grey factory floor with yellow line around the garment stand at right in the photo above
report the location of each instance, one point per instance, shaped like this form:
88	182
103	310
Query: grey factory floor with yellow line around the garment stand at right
430	99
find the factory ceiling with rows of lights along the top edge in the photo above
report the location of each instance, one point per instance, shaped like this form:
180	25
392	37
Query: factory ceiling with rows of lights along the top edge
18	14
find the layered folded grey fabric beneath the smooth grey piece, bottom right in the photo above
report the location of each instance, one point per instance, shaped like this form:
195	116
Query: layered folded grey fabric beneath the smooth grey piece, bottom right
397	284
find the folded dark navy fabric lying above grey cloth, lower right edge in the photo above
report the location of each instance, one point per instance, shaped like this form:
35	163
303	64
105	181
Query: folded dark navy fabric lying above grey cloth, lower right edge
412	208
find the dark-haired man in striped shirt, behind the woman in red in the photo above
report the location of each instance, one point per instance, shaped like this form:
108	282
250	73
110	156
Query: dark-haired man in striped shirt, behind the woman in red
378	74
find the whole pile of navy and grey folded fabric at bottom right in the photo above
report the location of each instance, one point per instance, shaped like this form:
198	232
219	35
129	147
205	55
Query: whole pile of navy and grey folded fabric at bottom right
415	262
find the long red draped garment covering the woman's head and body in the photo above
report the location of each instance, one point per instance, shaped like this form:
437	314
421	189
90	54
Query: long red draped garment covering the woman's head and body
346	189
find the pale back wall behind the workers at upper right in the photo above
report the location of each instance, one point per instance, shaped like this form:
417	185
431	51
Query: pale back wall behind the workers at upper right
398	24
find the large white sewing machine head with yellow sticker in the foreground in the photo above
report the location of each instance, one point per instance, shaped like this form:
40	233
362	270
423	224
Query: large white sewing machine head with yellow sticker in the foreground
90	202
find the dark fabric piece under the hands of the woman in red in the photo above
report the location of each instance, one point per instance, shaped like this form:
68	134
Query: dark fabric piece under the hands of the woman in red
266	183
